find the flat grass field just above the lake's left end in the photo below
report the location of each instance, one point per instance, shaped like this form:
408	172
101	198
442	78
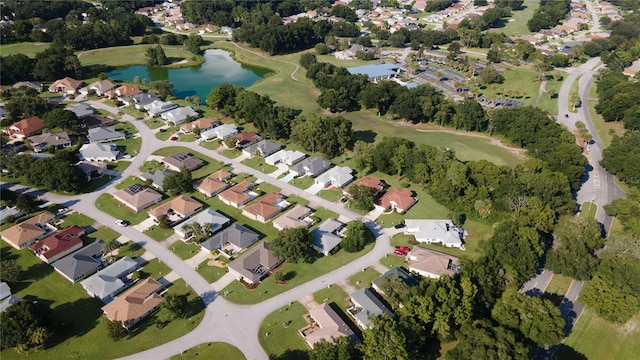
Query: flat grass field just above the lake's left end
132	55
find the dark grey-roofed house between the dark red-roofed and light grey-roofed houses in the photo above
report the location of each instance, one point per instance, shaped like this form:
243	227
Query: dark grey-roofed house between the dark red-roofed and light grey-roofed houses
80	264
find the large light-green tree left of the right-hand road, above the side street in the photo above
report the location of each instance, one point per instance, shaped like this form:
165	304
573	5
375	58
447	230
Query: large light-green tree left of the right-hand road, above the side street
576	240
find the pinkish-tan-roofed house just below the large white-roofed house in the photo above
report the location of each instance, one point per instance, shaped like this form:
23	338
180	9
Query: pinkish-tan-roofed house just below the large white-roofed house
432	264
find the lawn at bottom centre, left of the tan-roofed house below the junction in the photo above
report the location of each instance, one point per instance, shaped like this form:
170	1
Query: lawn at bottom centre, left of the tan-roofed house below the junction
279	332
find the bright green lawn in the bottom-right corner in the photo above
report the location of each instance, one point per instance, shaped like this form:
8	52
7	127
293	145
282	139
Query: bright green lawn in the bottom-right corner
597	338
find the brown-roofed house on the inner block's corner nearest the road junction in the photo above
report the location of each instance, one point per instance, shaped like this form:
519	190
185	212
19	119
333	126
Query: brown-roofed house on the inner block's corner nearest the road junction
255	264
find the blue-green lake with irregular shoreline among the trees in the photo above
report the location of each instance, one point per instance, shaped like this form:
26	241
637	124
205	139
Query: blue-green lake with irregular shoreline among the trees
218	68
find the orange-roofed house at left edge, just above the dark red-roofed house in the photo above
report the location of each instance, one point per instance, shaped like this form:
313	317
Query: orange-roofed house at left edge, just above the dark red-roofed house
29	231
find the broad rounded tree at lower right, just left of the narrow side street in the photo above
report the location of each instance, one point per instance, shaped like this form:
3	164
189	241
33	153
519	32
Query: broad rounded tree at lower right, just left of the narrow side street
536	318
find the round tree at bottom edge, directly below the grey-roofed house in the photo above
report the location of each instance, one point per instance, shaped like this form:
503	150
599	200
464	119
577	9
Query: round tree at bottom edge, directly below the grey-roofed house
384	341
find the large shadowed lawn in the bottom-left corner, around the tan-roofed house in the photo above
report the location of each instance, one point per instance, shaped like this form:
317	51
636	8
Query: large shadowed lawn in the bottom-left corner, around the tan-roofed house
82	332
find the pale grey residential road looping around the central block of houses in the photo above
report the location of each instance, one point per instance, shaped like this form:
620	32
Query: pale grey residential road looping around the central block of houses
223	321
